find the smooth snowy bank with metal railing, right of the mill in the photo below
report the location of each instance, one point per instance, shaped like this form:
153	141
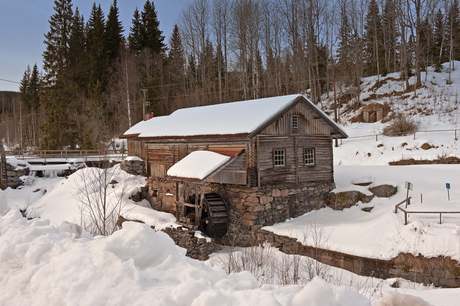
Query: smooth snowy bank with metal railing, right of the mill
382	233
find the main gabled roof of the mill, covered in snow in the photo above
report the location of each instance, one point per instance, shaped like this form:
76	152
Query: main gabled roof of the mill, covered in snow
237	118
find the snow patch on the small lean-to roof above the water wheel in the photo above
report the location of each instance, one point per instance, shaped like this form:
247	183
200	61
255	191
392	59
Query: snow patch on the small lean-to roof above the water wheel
197	165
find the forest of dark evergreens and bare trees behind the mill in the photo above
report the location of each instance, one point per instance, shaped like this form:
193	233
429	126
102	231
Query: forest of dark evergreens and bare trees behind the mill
95	79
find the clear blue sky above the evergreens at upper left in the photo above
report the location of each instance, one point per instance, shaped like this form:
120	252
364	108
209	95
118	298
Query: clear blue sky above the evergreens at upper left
23	24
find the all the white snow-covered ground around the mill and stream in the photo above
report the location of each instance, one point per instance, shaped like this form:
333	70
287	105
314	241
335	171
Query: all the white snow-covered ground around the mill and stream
50	261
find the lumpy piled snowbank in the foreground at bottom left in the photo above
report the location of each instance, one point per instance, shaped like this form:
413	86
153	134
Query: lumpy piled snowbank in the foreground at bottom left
43	265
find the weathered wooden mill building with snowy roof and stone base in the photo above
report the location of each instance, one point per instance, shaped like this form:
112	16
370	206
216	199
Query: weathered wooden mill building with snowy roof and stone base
278	158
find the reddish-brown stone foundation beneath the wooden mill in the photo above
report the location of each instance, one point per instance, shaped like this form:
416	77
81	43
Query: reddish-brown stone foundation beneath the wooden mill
250	209
